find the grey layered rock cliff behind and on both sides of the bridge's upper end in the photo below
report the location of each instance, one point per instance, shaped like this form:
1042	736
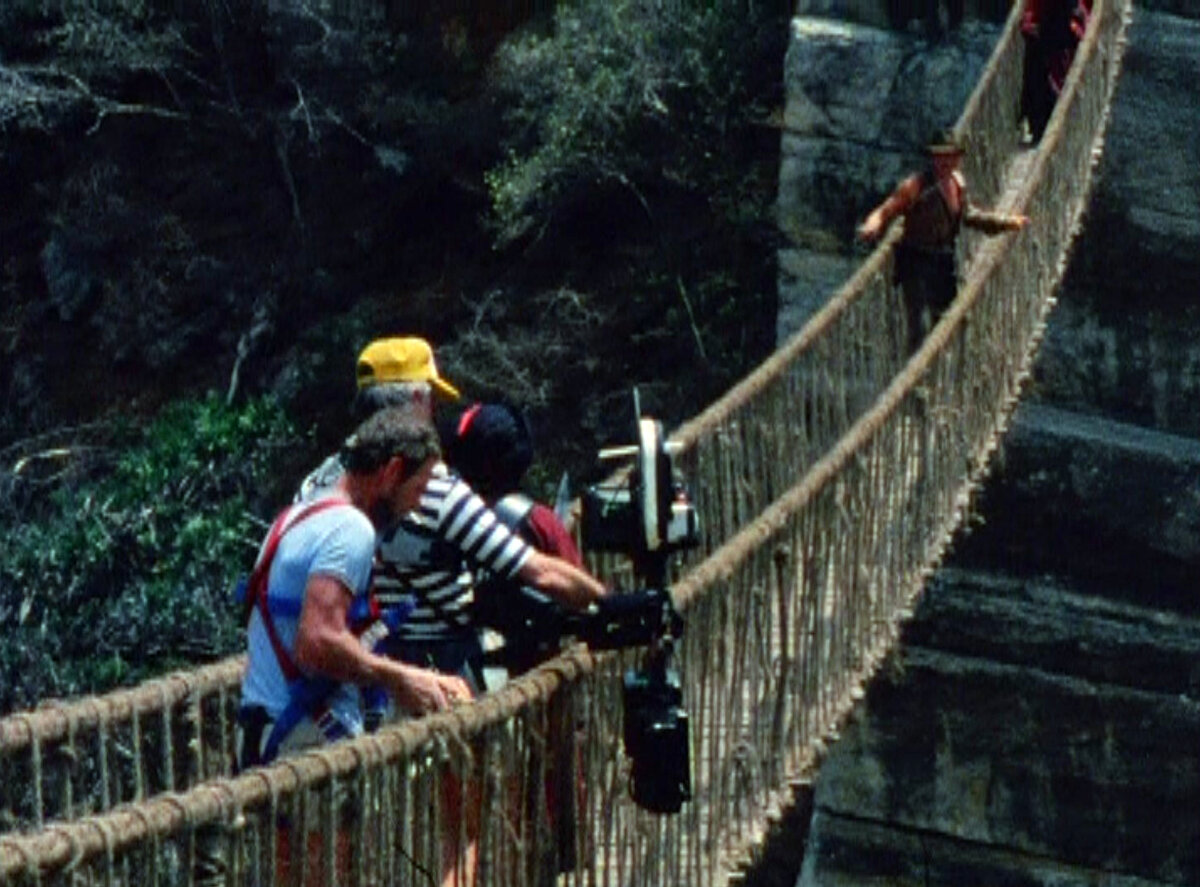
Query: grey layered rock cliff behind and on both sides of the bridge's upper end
1041	722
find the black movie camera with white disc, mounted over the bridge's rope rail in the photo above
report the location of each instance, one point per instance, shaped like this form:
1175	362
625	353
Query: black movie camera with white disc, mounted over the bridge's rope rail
644	512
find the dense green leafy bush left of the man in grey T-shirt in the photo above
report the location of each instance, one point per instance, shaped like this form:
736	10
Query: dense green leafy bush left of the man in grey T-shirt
128	574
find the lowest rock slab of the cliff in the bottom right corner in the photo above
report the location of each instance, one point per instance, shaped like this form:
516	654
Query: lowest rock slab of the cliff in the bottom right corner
1023	763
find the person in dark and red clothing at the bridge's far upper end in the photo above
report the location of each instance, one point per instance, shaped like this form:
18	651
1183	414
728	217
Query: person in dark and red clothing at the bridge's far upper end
1053	31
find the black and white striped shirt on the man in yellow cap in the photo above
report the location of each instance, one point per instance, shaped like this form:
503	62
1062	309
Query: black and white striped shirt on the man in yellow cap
434	554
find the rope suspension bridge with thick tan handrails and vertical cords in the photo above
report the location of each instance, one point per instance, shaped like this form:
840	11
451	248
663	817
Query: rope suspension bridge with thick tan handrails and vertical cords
829	484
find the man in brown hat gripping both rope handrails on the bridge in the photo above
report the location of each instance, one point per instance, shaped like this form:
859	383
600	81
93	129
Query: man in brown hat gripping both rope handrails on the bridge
934	206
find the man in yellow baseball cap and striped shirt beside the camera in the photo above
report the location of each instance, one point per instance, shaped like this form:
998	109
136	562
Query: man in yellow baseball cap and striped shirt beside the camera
430	559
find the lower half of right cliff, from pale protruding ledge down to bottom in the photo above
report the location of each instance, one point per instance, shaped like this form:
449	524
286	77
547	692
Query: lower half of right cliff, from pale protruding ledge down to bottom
1039	723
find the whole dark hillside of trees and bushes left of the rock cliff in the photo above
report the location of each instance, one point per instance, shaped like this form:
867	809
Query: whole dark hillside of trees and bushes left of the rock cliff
245	172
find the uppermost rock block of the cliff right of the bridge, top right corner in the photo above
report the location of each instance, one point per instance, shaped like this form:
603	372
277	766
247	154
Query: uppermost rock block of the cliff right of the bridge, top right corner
1125	339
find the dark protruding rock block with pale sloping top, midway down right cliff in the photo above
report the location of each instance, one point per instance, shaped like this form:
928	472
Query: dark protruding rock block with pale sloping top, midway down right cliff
1090	496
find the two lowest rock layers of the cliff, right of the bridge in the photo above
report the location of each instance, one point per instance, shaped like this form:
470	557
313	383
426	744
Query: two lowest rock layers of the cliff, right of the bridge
1012	742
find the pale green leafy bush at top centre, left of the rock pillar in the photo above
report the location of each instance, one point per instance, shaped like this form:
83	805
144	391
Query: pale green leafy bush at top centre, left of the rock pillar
633	94
